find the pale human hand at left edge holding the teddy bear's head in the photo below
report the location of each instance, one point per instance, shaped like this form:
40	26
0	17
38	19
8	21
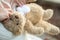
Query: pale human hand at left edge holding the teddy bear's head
5	11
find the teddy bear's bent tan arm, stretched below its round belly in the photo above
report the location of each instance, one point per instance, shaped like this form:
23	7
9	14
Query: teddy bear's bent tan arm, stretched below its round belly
33	29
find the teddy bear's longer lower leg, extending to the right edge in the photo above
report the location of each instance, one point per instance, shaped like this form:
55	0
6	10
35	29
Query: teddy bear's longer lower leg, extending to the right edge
49	28
